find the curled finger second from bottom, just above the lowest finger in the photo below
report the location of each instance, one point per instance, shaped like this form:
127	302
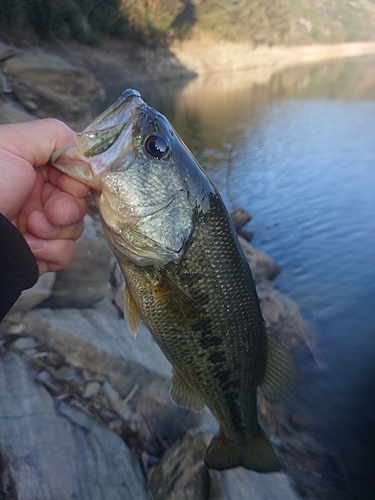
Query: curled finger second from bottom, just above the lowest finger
39	226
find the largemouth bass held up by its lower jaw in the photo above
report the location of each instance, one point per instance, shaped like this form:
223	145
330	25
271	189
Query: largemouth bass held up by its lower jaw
186	275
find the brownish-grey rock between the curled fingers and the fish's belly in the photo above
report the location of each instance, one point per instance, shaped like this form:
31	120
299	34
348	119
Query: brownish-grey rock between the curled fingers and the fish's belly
86	280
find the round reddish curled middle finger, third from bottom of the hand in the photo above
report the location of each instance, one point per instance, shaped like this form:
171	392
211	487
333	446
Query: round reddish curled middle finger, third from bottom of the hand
62	209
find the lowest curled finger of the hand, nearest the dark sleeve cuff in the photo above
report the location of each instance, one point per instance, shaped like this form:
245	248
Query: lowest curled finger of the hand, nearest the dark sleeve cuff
51	255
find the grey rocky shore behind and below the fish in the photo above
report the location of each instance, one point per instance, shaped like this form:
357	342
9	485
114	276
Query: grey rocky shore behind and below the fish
85	408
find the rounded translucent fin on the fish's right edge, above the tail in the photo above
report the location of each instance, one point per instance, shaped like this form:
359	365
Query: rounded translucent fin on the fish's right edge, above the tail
281	373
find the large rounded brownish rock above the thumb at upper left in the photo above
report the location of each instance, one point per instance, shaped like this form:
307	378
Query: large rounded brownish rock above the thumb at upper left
51	86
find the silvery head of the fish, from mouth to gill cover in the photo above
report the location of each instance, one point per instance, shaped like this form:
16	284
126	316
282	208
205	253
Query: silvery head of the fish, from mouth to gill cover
150	191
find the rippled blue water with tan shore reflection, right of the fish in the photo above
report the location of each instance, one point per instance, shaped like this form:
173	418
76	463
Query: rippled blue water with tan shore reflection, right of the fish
297	150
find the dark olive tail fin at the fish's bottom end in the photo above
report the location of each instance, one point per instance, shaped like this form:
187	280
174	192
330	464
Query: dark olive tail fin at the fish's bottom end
257	454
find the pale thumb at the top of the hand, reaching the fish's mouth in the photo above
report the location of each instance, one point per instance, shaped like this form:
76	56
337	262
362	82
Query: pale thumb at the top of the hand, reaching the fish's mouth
35	141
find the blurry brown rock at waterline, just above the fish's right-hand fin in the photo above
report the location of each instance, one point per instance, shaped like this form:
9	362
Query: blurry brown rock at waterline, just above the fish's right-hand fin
282	316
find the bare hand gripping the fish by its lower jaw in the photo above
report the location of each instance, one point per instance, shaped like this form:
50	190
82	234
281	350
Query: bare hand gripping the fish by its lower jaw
45	205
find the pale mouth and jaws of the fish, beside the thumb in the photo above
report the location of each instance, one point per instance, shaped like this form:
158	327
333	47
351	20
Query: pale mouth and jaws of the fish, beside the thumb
105	142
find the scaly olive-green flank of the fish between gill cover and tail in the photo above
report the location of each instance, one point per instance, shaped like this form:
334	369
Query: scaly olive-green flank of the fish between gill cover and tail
221	334
